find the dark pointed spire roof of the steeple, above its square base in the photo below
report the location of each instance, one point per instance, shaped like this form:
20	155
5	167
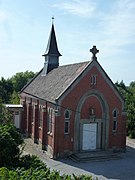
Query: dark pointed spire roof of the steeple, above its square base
52	48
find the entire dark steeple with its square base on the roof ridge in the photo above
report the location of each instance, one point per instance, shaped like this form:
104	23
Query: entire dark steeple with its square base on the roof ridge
52	53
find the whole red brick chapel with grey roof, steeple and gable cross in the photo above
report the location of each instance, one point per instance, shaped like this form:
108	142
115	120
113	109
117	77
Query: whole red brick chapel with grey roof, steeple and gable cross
73	108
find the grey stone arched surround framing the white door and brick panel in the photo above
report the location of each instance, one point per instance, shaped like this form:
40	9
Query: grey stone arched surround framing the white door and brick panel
104	121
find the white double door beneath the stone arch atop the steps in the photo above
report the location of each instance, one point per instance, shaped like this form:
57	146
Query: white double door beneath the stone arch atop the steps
89	139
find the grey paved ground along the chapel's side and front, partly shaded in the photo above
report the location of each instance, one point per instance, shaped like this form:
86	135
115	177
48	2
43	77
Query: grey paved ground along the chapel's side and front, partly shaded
123	169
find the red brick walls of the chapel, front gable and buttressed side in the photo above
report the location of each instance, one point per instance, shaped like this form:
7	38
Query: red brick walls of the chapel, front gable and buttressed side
90	99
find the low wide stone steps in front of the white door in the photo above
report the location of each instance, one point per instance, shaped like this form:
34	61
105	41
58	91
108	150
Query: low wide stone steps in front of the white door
94	156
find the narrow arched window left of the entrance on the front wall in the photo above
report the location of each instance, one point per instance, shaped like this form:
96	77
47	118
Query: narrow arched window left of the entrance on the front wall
67	121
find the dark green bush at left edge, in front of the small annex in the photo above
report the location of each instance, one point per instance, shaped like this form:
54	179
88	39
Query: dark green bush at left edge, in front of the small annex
10	139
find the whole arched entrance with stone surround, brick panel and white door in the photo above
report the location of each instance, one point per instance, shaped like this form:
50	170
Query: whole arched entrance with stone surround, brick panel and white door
91	122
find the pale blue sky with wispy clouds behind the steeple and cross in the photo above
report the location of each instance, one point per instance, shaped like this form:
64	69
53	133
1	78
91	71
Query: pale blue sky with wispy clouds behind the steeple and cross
79	24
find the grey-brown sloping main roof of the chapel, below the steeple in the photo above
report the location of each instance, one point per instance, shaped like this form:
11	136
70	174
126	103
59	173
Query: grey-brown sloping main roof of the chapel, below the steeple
49	87
